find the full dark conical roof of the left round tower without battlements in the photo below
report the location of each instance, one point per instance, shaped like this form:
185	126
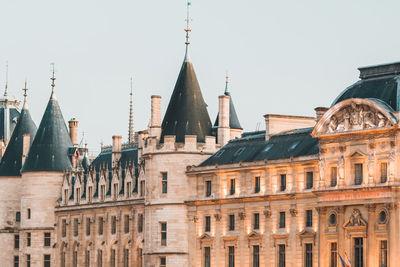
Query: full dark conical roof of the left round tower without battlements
49	150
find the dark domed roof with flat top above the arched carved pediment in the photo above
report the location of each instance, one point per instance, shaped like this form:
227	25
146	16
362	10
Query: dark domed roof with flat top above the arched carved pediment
380	82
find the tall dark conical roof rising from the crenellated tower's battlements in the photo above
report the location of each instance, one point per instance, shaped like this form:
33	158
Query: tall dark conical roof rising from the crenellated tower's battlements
187	112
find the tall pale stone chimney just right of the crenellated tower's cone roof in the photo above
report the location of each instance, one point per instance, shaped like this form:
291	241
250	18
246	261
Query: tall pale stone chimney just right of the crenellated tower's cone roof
223	120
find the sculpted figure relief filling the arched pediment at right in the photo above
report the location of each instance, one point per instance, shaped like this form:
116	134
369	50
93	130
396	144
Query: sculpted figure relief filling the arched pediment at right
356	117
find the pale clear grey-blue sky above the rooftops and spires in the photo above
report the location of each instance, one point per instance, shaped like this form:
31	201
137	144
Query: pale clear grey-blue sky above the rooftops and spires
284	57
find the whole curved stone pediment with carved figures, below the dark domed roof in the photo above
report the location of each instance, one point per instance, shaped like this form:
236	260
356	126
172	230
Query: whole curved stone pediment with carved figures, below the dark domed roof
354	115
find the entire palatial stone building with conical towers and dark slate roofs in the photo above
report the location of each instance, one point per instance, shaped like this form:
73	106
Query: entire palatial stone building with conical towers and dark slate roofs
184	192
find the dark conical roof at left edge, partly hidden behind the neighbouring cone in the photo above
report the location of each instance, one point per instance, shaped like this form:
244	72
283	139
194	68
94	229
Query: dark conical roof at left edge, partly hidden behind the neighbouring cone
11	162
